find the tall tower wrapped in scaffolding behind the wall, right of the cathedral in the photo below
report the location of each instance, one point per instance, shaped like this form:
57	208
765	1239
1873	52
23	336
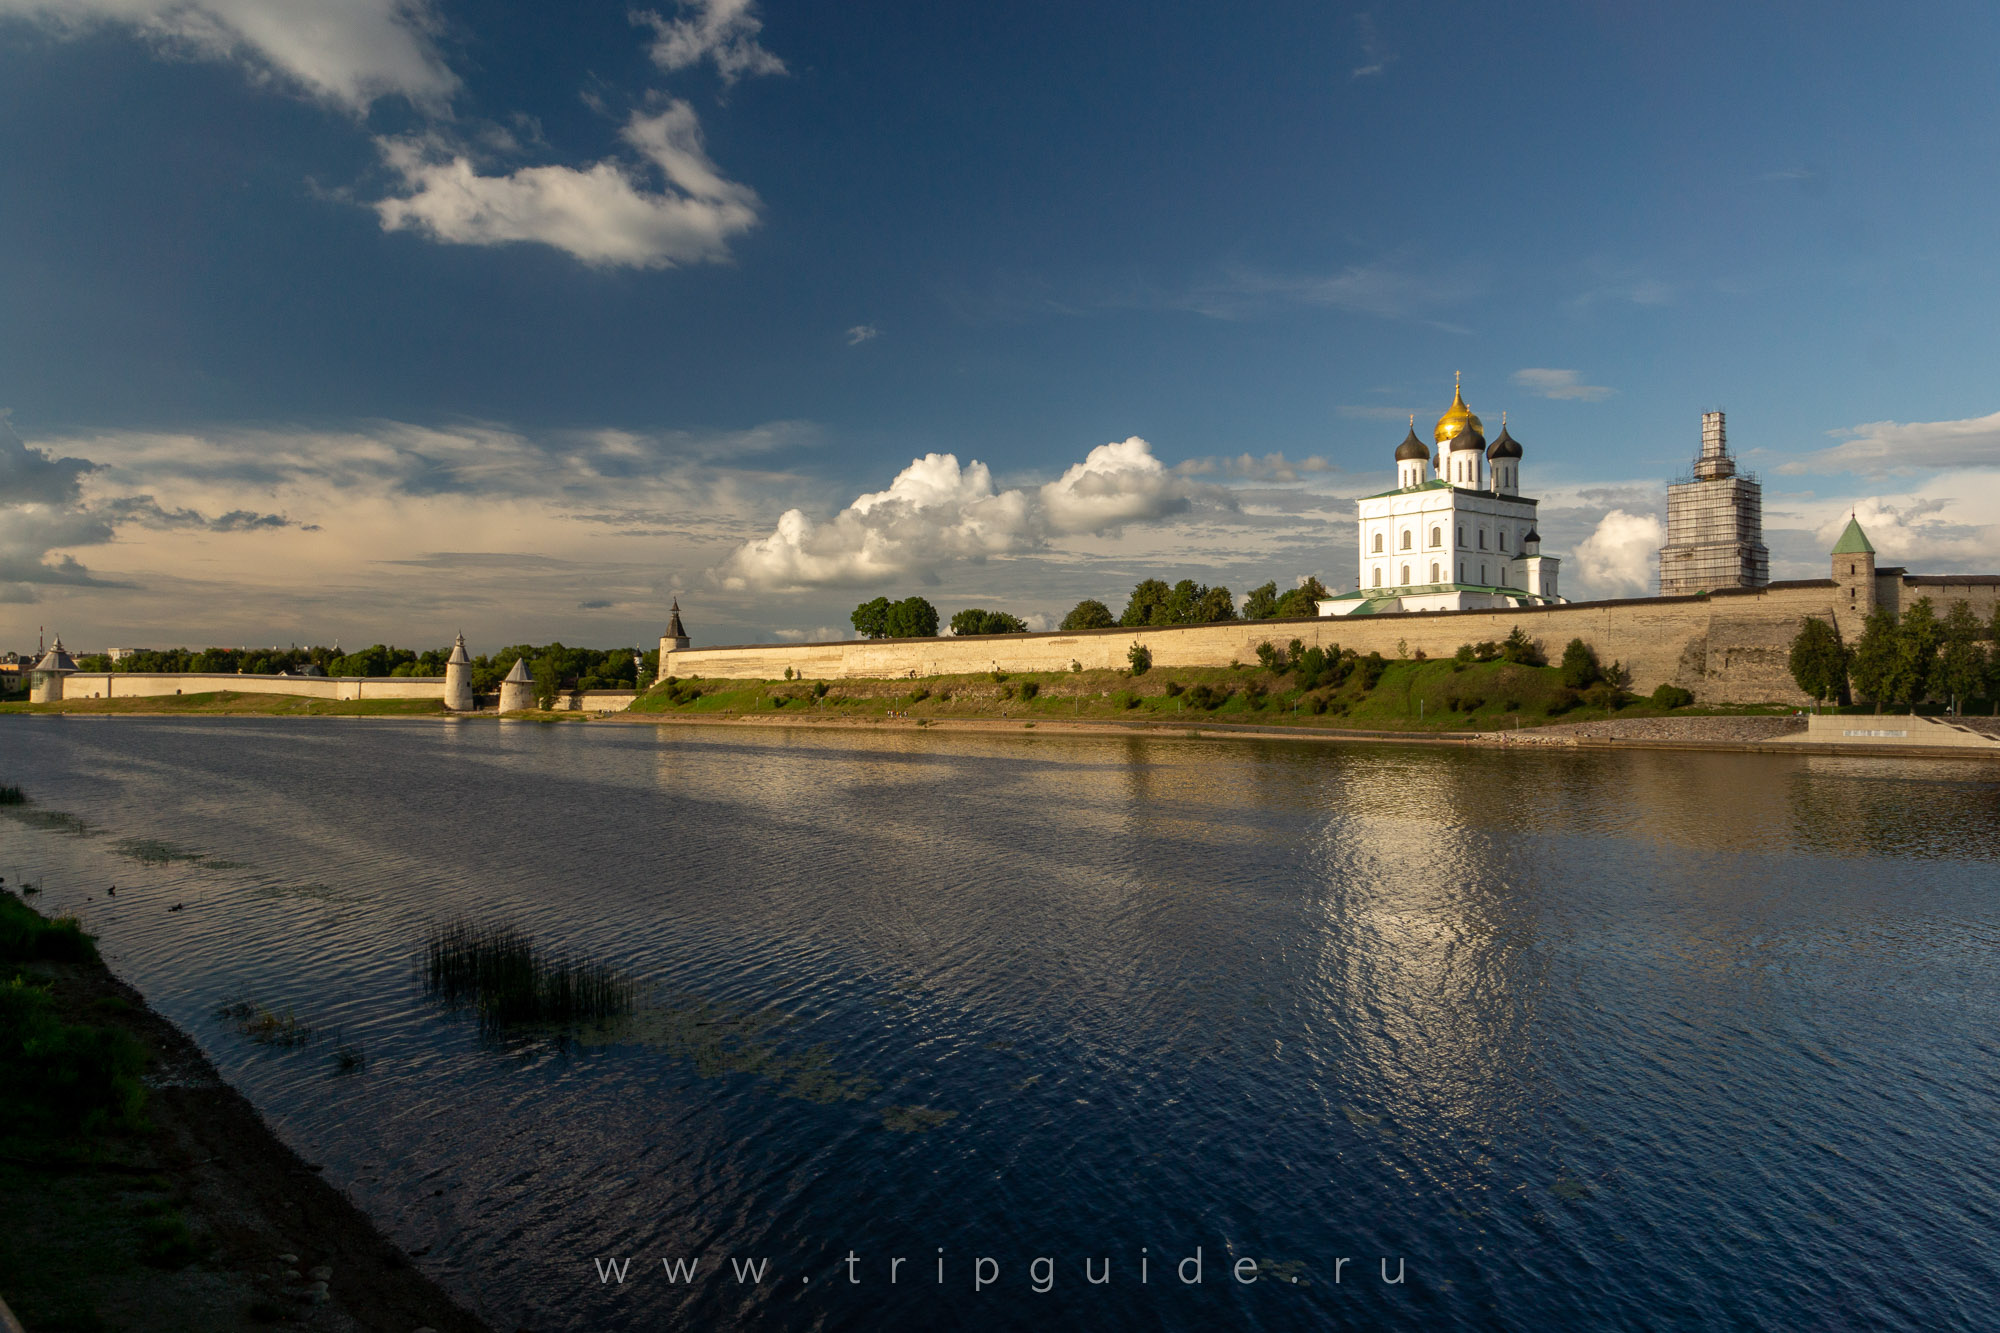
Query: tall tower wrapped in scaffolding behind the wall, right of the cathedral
1715	523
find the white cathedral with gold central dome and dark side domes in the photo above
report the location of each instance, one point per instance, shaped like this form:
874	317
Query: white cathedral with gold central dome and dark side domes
1455	533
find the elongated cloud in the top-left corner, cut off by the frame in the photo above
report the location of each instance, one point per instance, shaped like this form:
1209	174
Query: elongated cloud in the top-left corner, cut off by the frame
339	51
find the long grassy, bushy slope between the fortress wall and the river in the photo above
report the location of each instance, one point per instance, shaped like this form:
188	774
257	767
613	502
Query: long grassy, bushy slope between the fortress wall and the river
1359	694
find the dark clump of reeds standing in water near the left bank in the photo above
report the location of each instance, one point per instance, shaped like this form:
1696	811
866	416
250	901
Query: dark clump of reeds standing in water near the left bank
511	982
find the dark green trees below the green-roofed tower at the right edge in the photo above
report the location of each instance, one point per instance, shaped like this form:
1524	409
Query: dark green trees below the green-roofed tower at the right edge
1903	659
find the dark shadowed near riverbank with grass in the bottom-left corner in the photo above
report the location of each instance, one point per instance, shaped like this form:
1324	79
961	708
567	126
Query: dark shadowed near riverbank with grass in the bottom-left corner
175	1208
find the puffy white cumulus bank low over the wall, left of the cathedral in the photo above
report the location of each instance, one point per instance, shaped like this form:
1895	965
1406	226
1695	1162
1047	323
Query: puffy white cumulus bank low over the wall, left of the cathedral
941	513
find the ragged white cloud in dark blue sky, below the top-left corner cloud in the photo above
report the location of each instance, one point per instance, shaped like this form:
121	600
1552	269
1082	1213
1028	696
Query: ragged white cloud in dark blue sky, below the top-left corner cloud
607	215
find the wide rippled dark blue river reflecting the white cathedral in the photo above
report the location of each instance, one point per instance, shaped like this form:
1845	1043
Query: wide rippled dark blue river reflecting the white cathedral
1593	1040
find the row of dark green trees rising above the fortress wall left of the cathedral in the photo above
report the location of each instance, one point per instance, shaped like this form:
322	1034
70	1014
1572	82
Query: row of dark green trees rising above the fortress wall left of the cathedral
1153	601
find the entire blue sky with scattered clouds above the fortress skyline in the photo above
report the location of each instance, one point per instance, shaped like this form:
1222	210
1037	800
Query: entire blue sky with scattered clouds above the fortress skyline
375	319
